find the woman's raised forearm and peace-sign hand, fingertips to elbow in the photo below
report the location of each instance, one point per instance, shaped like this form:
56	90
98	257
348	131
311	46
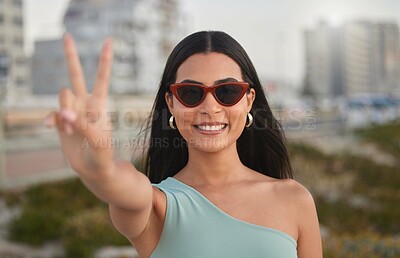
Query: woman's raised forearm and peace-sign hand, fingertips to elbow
85	133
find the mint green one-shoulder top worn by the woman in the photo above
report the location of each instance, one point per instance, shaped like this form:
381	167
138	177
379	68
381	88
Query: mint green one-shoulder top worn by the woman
195	228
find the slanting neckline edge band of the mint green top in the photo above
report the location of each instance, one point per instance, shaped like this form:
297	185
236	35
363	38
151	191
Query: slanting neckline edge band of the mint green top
269	229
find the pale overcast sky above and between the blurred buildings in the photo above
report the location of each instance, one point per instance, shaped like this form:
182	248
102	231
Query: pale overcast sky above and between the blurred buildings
271	31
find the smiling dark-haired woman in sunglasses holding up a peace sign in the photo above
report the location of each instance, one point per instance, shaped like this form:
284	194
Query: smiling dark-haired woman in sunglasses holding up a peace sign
219	184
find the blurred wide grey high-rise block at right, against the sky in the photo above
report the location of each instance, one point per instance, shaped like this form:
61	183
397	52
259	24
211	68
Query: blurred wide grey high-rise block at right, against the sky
355	58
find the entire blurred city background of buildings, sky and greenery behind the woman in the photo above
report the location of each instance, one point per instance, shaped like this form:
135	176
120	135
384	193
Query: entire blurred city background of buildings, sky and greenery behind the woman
331	70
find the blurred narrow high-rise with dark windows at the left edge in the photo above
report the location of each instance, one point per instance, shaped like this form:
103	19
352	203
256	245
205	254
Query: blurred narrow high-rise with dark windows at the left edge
15	73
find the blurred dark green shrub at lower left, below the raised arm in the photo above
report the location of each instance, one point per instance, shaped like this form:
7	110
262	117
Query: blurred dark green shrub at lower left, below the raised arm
66	211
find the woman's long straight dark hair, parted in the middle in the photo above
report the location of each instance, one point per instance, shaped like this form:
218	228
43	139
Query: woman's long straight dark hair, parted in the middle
261	147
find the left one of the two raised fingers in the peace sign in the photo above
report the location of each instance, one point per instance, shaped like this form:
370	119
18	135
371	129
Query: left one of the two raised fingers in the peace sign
74	67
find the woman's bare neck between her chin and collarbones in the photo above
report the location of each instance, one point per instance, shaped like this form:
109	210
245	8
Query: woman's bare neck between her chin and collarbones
217	168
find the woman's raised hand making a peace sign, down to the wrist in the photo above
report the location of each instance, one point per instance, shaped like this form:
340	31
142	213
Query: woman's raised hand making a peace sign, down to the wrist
82	122
